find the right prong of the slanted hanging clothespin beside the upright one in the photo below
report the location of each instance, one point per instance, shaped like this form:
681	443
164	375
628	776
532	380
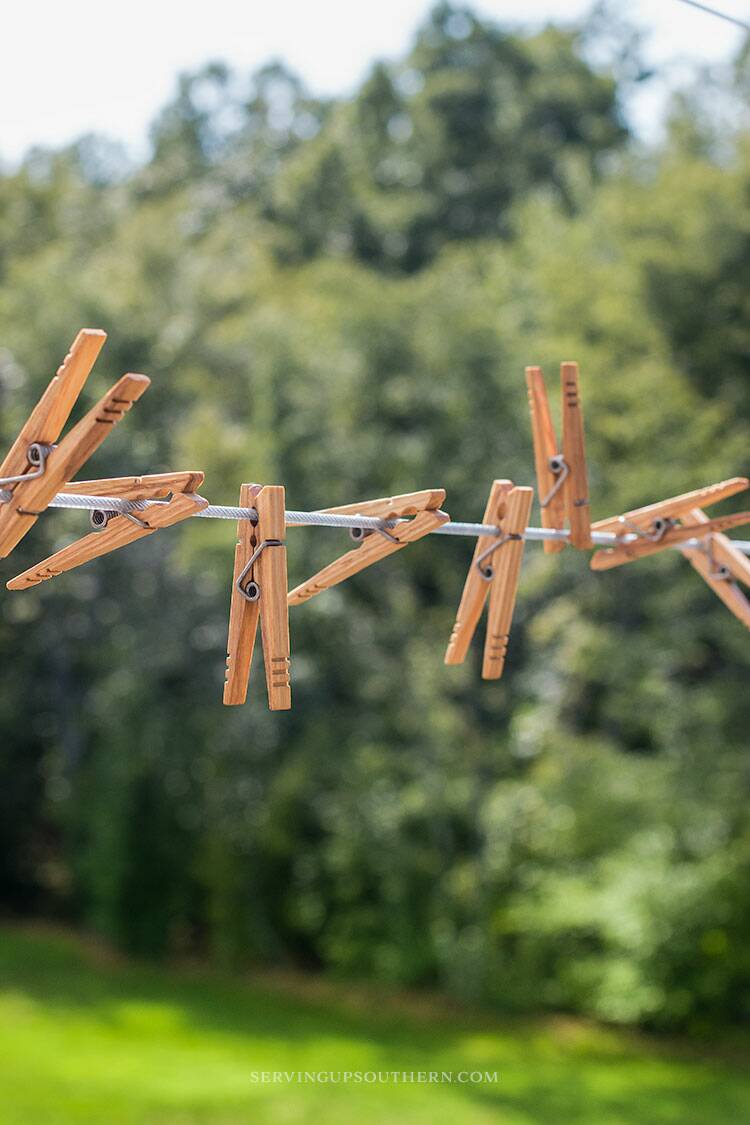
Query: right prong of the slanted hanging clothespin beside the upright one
504	587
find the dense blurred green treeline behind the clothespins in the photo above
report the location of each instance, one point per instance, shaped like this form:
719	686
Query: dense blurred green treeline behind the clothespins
341	296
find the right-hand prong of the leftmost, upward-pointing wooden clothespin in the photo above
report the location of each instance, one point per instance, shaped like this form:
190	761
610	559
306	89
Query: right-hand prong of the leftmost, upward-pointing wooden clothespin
30	500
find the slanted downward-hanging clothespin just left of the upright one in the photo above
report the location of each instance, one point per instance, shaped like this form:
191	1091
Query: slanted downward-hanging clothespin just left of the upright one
509	508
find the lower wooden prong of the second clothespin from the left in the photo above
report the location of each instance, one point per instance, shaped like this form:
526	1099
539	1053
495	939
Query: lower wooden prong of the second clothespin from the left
120	533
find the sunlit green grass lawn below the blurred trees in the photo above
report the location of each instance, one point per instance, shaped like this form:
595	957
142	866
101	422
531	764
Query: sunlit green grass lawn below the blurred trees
85	1038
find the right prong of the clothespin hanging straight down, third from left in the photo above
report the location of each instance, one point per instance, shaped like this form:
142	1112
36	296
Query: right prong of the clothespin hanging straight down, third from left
272	572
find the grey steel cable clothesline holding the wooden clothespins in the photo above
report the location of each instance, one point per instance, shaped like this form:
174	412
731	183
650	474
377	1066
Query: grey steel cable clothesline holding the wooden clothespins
351	521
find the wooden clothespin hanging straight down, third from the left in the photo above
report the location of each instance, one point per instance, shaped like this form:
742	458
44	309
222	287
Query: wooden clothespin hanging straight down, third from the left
259	591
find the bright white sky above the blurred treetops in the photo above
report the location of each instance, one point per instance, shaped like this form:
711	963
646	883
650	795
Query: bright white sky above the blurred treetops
77	67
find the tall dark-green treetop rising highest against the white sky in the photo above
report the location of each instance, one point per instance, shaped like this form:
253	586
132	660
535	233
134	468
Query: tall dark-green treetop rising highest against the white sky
439	148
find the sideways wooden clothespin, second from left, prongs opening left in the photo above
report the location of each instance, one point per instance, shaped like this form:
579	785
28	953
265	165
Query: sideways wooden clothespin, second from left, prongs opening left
174	499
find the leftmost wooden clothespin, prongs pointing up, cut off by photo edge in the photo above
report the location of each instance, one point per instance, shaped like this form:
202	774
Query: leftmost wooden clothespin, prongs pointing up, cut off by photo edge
35	467
